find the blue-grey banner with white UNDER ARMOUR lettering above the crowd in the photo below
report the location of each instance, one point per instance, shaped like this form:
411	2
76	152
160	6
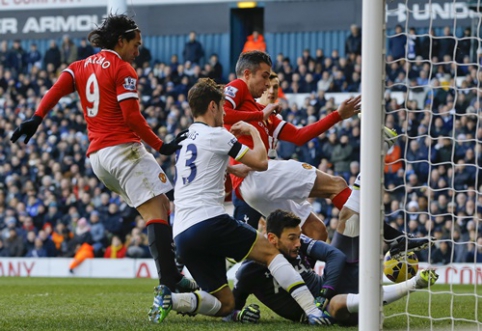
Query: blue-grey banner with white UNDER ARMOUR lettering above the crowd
41	19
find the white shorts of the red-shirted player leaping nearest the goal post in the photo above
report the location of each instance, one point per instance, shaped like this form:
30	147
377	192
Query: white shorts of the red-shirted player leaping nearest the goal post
285	185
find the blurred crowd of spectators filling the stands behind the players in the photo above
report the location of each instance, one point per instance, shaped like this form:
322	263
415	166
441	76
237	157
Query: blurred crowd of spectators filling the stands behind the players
51	202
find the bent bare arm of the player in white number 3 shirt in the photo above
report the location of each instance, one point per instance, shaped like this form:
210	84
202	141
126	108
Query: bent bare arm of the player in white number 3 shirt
256	158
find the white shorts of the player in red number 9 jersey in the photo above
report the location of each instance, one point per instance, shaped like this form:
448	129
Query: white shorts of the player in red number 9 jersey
130	171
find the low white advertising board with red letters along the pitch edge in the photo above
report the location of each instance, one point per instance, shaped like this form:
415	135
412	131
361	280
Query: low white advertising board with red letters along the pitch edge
456	273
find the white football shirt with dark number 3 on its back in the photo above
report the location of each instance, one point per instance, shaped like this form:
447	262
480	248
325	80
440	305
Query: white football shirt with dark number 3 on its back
200	173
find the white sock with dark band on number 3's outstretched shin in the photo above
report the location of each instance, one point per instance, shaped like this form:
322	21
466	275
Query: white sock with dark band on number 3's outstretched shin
291	281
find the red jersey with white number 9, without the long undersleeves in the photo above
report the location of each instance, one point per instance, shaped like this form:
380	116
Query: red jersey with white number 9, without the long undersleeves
102	81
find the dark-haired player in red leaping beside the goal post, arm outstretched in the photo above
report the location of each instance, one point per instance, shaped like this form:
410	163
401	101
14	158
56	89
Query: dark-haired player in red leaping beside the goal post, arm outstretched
286	184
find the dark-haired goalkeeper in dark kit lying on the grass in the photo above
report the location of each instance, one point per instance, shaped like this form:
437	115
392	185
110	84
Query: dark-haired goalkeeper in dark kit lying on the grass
335	291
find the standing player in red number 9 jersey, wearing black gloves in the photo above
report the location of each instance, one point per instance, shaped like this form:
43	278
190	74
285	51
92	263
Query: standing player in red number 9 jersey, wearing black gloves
107	86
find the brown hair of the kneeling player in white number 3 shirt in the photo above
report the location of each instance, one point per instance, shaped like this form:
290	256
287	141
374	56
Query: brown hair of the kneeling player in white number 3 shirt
202	93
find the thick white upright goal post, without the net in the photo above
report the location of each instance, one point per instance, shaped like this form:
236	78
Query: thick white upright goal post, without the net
371	212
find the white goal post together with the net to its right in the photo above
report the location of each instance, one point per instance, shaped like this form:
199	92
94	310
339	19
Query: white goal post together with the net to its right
454	77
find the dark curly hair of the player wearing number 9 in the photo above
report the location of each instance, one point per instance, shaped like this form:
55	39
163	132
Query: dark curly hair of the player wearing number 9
114	26
